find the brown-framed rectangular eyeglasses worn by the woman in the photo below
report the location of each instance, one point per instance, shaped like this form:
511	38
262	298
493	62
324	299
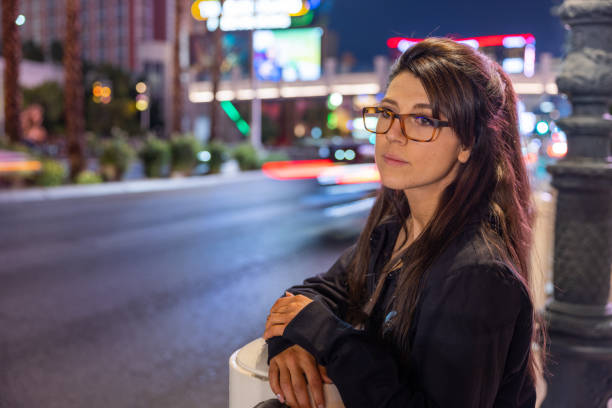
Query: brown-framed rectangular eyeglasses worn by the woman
417	127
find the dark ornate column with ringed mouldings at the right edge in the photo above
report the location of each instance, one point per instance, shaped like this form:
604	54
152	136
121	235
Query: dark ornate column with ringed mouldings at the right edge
580	315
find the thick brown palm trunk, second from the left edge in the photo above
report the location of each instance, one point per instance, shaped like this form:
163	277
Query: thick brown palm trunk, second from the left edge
73	92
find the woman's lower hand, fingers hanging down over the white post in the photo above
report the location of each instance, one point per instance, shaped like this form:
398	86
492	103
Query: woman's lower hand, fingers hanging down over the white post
292	372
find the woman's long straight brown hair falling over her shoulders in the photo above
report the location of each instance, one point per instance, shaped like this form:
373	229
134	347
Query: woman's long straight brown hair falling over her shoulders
478	99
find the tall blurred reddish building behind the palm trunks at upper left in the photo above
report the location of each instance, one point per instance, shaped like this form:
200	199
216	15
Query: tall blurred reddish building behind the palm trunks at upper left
135	35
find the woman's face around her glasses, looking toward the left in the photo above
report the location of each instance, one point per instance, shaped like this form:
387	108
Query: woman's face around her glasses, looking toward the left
406	164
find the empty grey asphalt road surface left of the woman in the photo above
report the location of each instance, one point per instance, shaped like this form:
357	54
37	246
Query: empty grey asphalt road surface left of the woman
138	300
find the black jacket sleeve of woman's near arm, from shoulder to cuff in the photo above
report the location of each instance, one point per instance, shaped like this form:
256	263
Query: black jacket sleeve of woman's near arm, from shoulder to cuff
459	353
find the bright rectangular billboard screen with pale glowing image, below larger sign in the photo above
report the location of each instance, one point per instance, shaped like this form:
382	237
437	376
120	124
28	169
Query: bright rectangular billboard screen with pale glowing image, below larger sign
287	55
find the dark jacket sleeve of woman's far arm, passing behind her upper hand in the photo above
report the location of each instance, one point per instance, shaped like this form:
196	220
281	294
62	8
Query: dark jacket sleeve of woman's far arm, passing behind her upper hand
329	288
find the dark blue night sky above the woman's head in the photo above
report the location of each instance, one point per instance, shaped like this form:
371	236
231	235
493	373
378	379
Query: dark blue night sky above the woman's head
364	26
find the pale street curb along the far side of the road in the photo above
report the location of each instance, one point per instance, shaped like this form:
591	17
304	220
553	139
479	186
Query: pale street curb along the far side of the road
126	187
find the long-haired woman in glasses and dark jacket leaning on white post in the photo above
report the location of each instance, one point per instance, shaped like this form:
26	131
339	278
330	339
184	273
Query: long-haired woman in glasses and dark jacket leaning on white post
432	306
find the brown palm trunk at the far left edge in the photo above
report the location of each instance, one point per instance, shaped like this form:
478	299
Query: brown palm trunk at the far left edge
11	49
